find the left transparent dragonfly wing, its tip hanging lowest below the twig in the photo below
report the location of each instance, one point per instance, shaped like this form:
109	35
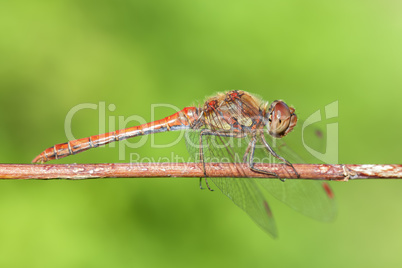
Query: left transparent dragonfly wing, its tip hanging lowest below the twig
244	192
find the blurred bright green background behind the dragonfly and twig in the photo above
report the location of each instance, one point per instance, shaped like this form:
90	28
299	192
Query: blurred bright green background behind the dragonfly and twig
58	54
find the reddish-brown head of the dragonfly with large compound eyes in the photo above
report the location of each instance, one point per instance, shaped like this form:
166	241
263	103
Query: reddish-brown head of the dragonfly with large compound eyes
281	119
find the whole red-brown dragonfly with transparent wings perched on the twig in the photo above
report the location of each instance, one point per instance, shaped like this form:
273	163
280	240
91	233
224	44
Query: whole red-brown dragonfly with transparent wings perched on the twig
236	127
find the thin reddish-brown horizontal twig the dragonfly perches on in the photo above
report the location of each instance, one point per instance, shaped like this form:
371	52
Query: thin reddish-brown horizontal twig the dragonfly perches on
148	170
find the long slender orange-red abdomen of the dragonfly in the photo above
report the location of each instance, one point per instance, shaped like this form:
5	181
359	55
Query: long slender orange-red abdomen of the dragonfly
180	120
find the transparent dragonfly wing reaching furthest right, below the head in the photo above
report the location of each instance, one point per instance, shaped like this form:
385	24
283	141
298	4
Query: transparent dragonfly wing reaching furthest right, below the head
311	198
